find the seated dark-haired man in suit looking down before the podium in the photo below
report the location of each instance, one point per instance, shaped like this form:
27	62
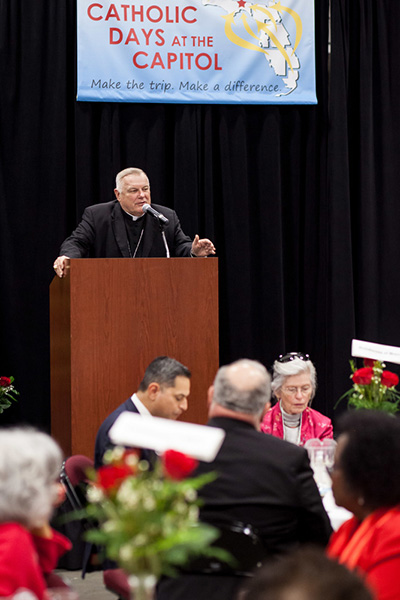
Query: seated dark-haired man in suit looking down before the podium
163	392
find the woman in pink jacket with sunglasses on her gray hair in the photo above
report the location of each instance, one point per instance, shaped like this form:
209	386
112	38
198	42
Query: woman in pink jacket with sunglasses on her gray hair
294	383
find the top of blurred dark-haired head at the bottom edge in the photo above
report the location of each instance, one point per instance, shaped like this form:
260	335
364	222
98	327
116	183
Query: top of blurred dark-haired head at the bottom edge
305	575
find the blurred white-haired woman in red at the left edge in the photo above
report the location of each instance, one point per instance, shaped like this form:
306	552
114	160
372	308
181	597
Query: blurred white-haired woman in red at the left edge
30	464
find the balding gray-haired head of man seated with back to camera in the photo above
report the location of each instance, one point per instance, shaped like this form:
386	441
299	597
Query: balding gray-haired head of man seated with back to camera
243	386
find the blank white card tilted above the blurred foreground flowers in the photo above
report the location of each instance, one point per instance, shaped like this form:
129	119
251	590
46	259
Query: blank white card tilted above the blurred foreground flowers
142	431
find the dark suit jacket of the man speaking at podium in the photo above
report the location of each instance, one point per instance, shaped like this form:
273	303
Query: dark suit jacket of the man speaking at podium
102	234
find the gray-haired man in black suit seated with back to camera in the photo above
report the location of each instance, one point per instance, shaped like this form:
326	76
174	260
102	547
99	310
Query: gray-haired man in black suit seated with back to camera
262	482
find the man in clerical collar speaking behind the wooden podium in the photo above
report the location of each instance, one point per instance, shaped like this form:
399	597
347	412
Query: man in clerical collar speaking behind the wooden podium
129	227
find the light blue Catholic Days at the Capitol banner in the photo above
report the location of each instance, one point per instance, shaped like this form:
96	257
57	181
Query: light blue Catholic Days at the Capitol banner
202	51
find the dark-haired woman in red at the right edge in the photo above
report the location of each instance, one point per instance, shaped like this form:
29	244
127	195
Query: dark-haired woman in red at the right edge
366	481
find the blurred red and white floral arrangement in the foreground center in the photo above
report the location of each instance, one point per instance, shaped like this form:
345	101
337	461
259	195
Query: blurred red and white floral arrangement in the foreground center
147	518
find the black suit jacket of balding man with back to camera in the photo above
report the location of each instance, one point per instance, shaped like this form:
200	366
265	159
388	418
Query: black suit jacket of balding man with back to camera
262	481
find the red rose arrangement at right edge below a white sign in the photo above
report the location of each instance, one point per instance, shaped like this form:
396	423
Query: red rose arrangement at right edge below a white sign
373	387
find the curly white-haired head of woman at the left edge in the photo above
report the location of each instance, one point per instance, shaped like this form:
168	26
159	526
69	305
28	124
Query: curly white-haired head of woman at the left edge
30	464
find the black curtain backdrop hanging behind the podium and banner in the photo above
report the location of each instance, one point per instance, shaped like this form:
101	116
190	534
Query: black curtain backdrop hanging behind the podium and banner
301	201
